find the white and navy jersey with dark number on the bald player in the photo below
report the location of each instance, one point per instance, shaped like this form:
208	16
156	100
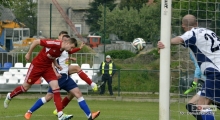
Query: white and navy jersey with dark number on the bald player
205	45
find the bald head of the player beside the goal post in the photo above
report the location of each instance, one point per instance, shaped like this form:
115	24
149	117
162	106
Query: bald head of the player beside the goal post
189	21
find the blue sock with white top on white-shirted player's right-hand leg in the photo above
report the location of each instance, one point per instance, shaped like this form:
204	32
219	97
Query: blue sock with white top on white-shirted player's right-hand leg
84	106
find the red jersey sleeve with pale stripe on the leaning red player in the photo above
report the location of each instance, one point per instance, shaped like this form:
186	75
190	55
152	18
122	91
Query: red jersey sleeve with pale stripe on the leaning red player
50	43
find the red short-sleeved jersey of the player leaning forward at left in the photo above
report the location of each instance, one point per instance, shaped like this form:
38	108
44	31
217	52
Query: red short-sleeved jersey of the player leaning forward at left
48	54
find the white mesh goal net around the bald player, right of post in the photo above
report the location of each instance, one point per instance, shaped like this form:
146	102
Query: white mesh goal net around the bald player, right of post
181	66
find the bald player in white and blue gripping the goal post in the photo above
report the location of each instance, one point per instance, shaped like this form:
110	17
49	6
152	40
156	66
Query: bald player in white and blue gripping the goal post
205	46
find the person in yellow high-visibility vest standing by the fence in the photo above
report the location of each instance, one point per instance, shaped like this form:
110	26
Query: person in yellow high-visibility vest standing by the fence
107	69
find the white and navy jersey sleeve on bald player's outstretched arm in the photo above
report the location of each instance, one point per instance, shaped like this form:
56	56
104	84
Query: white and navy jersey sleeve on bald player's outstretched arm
188	38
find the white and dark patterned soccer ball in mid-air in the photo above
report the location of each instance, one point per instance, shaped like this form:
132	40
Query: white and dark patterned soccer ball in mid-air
138	44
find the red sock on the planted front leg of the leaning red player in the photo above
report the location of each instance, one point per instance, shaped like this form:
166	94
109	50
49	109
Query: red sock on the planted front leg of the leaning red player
57	99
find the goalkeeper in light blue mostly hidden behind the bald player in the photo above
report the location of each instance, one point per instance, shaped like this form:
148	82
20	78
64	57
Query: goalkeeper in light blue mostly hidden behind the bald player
197	75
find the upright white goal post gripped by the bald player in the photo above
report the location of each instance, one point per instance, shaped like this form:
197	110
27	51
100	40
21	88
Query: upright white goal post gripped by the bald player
165	35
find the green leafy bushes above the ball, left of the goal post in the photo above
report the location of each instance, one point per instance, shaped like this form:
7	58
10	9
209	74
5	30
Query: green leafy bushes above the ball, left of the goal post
130	24
